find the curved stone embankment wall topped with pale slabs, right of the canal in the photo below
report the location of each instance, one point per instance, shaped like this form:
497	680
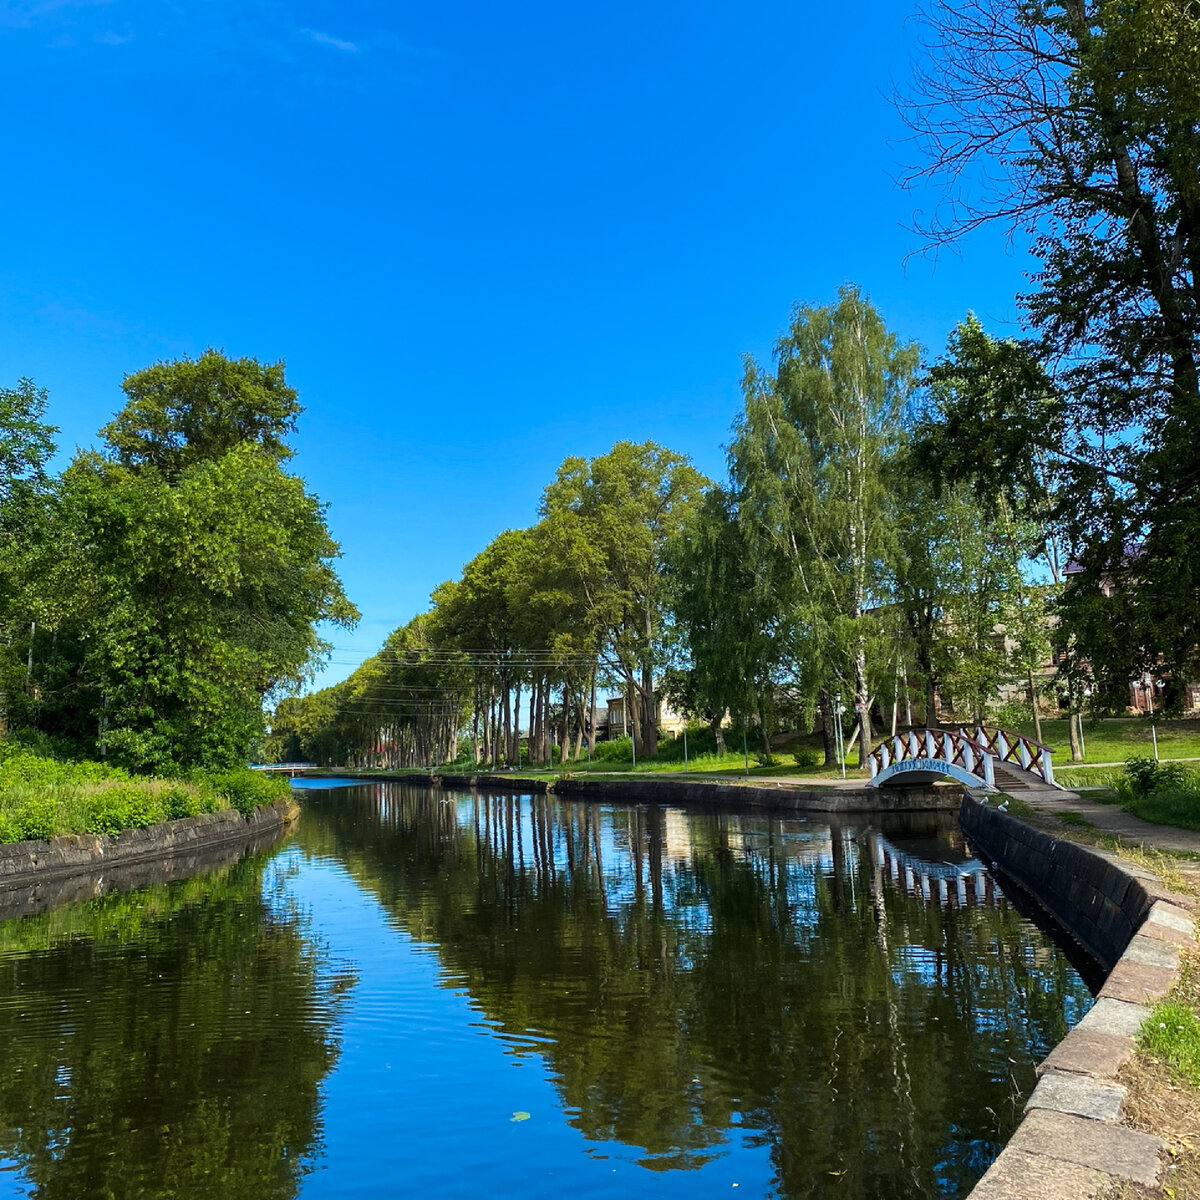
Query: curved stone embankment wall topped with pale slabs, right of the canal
1071	1144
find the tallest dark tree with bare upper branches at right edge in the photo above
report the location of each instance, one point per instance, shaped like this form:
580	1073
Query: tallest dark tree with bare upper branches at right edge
1079	121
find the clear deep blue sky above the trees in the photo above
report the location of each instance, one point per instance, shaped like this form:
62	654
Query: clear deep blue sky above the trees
483	237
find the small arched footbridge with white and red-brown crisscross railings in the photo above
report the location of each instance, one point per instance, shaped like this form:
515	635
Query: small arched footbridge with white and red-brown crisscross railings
985	758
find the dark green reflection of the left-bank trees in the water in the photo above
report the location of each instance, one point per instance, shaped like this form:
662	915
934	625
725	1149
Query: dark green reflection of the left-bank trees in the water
166	1042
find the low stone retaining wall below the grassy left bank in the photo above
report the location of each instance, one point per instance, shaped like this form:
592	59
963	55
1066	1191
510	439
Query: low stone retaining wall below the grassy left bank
26	862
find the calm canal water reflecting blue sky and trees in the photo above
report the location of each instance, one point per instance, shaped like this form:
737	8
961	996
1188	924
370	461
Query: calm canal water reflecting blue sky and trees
439	994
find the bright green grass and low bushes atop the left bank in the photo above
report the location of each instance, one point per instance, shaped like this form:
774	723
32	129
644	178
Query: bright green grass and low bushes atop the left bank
44	799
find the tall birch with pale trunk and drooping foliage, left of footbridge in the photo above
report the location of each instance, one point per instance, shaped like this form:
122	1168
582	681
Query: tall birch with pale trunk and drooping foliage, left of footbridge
809	460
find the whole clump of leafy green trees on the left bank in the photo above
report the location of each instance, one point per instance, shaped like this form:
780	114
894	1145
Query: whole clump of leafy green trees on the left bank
160	589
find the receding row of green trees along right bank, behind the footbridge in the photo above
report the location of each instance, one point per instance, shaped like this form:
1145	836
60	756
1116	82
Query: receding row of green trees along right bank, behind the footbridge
836	561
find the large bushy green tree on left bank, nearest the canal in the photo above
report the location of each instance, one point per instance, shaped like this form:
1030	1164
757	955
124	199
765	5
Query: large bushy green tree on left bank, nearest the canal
201	567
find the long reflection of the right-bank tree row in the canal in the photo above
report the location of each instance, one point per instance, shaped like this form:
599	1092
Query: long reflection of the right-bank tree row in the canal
860	1005
